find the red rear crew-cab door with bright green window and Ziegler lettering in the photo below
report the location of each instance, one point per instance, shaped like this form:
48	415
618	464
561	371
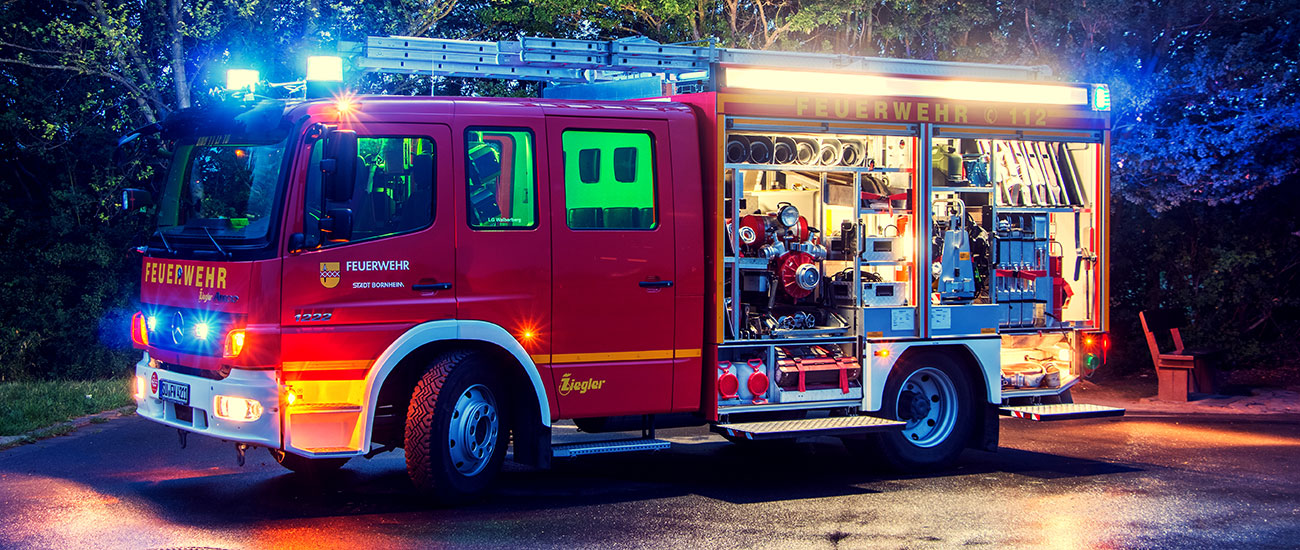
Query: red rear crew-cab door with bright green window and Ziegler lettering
613	266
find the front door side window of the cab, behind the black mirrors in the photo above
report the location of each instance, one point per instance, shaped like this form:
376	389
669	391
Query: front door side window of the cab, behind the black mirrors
393	192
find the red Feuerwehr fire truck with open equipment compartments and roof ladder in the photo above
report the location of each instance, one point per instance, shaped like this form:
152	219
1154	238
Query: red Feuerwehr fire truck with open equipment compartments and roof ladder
777	245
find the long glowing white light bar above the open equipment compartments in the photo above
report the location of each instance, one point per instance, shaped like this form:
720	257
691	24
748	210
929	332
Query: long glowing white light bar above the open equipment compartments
878	85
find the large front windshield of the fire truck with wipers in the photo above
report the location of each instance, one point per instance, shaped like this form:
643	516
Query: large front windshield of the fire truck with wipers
224	190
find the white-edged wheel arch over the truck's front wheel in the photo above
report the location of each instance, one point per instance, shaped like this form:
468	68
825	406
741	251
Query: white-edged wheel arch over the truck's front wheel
397	370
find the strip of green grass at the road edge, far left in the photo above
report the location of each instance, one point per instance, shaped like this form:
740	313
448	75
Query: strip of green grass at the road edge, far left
28	406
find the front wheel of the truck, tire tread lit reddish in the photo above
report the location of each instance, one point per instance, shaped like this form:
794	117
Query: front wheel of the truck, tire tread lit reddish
456	432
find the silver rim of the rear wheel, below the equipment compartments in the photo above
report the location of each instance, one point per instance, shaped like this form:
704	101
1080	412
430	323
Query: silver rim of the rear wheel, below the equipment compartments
928	402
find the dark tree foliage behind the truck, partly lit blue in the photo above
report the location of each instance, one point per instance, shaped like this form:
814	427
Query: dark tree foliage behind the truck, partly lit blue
1206	120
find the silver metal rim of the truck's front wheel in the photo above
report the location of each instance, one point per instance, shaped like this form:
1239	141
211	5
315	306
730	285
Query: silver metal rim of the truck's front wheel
475	423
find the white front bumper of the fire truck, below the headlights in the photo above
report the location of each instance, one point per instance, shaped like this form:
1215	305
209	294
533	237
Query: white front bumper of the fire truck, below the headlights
259	386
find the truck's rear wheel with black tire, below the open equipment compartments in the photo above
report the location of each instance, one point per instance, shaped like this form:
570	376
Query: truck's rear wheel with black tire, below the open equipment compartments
938	427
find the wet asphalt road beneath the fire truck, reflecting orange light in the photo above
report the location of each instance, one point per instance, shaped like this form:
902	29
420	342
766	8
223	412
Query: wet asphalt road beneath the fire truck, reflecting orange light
1141	482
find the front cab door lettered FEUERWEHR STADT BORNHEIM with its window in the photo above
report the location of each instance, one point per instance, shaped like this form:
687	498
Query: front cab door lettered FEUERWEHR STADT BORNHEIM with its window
345	302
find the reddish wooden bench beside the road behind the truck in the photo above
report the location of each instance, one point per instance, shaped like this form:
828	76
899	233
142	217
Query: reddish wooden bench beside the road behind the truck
1180	370
